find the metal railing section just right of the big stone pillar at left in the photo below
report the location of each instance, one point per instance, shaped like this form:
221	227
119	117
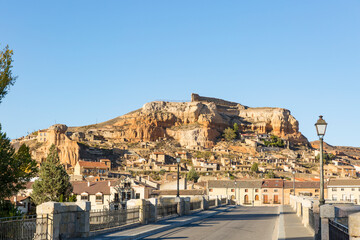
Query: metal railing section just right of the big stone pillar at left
113	218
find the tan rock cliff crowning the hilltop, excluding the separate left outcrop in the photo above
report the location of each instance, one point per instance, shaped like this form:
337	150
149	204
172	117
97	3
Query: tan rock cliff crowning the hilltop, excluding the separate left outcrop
196	123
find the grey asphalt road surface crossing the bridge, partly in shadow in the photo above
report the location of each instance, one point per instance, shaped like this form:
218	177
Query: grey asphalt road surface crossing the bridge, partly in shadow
243	223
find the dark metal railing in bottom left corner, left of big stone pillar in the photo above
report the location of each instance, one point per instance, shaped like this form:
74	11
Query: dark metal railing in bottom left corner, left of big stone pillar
24	228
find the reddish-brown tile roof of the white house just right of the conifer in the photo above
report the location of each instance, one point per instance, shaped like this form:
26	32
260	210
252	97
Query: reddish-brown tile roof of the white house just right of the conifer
95	187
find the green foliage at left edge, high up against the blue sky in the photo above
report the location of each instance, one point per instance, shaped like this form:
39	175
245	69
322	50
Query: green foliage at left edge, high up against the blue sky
6	77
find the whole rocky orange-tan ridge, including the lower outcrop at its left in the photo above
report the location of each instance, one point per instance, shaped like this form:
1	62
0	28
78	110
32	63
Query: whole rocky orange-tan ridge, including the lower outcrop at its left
200	122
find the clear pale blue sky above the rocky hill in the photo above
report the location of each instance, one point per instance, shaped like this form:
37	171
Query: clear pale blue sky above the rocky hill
82	62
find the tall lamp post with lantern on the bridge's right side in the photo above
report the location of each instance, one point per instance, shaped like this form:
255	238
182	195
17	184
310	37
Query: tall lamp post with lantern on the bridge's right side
321	129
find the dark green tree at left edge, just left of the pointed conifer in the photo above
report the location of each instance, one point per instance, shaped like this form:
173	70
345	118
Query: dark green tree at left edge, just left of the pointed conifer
16	168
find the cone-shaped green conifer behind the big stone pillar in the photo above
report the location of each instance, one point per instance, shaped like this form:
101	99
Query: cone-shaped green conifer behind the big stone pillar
53	183
